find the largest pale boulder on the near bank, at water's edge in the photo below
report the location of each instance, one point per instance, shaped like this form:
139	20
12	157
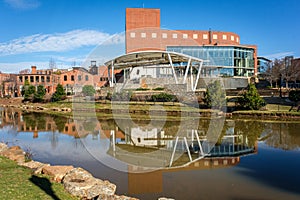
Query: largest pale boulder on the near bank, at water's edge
81	183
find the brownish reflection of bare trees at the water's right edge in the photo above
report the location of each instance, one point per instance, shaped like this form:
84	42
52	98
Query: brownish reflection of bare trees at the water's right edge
283	135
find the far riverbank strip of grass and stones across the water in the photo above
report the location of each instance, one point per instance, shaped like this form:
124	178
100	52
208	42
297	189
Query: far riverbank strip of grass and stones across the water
276	108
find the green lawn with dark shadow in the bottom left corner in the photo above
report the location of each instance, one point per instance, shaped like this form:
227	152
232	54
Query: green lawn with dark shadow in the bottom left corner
18	182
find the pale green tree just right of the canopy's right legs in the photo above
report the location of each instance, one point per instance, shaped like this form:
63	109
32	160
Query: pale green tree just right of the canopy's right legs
215	96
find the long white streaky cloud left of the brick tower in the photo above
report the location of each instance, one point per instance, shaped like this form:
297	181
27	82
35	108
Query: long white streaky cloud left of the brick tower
57	42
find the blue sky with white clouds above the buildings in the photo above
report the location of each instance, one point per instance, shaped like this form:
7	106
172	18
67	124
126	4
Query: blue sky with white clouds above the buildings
33	32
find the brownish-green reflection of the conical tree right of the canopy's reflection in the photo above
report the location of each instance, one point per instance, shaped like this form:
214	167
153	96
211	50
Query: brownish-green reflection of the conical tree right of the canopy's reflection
251	129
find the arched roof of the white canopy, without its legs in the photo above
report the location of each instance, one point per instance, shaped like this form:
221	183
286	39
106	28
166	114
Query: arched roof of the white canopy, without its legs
149	58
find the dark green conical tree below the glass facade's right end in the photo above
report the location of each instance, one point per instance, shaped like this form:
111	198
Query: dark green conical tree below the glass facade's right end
250	99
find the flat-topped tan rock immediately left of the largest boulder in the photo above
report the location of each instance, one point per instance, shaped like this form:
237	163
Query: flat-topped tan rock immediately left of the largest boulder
57	172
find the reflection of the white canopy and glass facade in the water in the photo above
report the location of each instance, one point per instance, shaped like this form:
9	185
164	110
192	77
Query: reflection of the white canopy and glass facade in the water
163	150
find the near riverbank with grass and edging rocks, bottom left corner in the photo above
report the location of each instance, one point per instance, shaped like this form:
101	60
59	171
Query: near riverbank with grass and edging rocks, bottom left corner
26	179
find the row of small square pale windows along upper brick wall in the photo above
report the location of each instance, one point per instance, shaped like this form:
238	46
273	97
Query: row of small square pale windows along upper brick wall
185	36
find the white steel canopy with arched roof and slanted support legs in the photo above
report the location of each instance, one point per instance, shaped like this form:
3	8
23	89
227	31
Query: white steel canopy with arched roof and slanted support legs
157	59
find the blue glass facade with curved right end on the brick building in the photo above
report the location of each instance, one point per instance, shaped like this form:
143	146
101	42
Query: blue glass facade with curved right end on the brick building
221	60
